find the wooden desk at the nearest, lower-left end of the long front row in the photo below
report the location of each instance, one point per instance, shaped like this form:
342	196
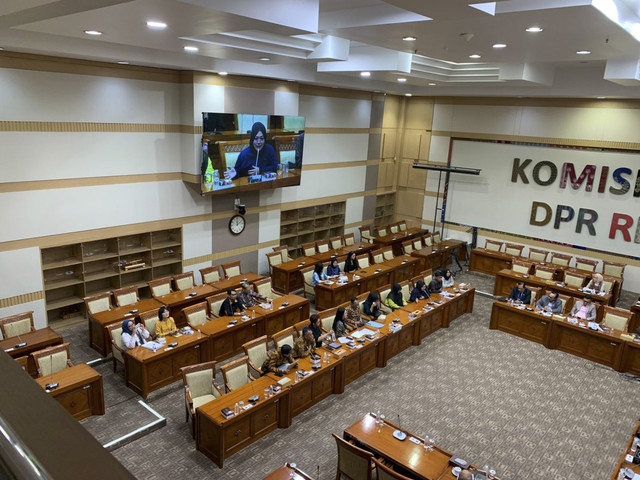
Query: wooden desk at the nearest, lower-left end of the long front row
218	437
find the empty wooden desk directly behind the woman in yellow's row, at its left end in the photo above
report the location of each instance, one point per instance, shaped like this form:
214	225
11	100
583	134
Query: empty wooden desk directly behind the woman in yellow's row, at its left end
99	337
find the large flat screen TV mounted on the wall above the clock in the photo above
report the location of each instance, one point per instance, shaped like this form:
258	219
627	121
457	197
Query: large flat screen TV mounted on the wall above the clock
242	152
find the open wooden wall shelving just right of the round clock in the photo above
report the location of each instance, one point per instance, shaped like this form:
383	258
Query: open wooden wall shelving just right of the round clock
310	224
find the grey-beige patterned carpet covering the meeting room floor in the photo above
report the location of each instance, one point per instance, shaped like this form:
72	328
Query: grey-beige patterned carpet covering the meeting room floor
488	396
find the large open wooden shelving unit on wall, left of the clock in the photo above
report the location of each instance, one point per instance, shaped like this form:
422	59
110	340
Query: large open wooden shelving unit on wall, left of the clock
72	272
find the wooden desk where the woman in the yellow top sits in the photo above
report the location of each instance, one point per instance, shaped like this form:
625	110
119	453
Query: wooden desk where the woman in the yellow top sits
146	371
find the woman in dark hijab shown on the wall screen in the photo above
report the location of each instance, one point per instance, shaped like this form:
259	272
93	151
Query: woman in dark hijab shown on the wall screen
258	158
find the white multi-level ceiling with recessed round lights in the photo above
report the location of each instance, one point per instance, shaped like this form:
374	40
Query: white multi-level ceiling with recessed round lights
584	48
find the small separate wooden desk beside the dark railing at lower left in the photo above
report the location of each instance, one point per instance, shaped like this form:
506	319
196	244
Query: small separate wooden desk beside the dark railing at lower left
79	391
